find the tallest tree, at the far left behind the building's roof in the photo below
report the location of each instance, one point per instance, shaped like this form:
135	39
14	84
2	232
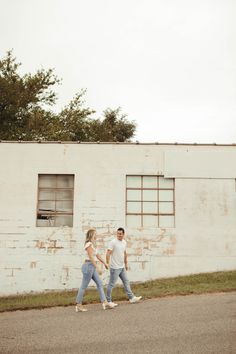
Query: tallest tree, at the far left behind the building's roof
22	99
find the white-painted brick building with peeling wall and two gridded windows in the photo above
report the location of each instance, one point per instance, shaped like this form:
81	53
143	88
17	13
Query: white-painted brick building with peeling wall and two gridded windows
177	203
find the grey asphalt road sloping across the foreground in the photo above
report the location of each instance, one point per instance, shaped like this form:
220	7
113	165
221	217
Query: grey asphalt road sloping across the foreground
183	324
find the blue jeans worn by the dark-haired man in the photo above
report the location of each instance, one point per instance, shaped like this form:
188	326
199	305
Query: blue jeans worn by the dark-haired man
114	274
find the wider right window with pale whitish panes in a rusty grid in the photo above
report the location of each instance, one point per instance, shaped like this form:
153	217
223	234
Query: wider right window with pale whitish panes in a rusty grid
149	201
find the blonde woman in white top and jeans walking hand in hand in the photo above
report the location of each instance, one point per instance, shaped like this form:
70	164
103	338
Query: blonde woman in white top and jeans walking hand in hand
90	271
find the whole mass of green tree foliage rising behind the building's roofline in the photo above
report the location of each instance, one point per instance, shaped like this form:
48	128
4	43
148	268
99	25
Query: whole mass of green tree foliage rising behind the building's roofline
26	114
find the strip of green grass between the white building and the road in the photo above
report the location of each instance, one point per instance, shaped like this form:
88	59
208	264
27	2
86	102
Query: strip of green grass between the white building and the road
183	285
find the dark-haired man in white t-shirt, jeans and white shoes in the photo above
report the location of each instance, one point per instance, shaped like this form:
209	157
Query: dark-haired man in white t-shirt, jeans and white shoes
116	258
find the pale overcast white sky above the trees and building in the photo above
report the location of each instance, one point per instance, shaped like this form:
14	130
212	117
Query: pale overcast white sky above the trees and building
169	64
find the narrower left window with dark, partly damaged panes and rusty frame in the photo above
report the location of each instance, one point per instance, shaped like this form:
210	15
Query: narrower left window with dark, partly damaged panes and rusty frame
55	200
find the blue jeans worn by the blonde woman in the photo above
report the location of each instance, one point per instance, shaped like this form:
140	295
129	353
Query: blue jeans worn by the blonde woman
89	272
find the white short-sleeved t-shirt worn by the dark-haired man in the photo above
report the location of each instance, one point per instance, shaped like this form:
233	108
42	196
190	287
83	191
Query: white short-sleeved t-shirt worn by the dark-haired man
117	257
